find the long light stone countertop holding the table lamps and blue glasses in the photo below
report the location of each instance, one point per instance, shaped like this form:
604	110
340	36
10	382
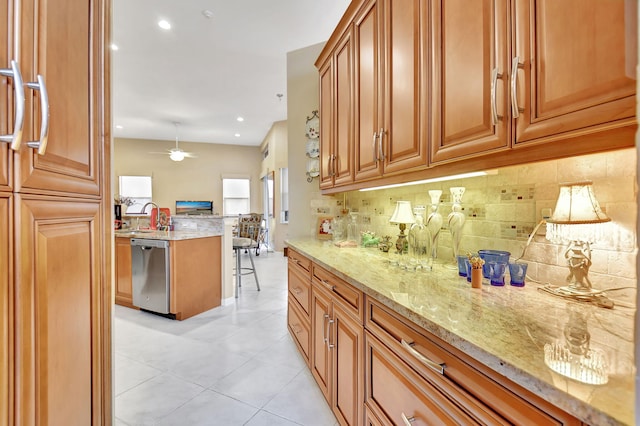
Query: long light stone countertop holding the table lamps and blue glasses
505	328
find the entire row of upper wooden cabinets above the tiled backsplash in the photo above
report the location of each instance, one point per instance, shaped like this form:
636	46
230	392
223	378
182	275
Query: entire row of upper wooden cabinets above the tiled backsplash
442	87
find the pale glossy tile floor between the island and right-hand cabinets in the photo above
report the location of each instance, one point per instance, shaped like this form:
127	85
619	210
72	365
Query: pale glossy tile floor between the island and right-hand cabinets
232	365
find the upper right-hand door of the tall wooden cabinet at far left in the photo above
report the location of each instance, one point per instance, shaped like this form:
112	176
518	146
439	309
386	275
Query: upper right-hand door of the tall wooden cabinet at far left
60	40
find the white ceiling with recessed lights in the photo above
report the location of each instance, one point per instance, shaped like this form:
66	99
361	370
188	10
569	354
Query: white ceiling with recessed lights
206	72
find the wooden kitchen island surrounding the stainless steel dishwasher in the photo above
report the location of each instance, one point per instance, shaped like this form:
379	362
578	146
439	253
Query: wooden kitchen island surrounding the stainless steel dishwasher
195	269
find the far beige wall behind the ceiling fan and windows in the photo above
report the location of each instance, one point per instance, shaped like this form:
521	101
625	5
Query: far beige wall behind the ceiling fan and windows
193	178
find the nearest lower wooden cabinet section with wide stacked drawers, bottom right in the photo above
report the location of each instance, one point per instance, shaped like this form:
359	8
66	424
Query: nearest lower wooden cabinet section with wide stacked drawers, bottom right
401	351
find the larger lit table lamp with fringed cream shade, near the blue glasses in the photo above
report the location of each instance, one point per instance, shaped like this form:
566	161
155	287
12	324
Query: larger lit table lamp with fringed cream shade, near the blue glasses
577	221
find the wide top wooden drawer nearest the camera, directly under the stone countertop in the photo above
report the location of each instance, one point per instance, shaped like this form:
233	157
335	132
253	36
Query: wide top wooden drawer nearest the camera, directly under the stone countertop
460	374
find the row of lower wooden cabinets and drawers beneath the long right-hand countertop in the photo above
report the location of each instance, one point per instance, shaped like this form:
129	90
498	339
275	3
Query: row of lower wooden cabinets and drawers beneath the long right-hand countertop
392	372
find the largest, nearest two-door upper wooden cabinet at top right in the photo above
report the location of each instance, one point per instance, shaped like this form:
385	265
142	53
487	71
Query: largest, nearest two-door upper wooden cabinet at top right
565	70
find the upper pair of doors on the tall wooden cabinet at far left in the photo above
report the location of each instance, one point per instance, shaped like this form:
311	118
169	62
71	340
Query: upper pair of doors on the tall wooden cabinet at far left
54	40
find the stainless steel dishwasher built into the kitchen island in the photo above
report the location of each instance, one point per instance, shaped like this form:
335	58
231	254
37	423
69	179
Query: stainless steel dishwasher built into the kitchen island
150	274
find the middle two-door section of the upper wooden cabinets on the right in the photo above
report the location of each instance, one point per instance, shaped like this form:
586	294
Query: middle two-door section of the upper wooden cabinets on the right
391	64
